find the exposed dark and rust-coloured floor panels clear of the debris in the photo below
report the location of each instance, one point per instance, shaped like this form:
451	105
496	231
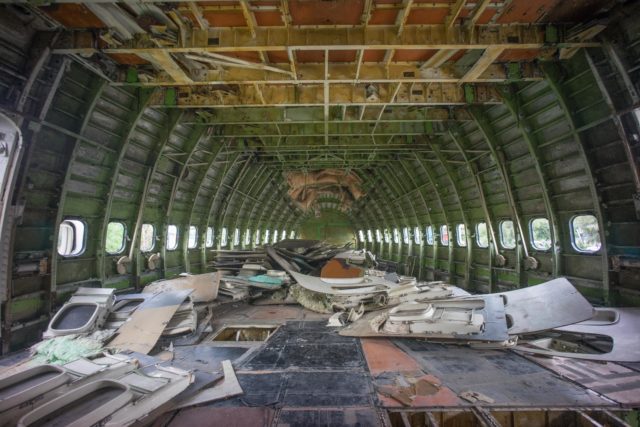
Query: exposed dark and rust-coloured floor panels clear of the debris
306	374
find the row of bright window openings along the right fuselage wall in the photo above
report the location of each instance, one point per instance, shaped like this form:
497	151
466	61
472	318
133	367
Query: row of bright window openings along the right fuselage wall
585	235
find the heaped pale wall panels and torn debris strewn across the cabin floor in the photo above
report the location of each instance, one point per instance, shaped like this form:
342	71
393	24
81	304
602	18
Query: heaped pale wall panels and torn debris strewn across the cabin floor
97	346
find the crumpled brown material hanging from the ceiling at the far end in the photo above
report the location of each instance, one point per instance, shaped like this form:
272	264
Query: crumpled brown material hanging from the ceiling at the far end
306	187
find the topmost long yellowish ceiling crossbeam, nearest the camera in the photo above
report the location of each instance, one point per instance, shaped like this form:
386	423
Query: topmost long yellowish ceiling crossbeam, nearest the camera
238	39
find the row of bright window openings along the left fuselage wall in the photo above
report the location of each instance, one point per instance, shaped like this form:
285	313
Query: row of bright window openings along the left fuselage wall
72	236
